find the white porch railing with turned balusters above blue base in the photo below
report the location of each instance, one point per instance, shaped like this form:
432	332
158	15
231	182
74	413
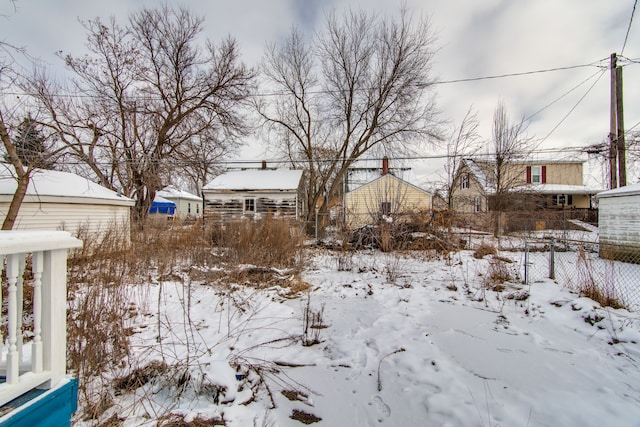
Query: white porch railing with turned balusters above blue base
40	362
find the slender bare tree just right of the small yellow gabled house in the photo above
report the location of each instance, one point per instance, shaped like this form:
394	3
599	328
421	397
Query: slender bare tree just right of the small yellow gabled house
462	143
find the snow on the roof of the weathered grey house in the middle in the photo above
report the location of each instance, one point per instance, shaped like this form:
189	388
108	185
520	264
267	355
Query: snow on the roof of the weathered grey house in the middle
256	179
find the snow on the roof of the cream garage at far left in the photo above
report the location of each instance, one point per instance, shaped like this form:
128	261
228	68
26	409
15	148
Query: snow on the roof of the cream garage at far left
59	184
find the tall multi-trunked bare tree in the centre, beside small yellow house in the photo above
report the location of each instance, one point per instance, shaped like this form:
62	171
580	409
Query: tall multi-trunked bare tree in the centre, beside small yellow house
358	87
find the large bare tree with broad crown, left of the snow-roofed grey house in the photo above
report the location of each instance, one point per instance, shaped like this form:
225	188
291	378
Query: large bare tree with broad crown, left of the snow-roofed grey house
146	93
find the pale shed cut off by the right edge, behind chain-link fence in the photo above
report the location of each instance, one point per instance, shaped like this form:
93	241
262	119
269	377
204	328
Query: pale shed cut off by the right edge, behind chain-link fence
619	223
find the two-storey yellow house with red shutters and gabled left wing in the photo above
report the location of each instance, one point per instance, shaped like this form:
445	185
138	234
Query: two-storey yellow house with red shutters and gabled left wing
530	184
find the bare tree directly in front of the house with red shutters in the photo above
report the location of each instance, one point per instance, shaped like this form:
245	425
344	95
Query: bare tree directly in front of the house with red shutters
509	144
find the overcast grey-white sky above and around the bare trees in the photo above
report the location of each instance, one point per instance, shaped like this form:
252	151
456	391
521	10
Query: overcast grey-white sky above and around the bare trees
476	38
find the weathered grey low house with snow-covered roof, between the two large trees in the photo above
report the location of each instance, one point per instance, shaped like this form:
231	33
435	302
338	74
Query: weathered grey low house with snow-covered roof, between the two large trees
254	194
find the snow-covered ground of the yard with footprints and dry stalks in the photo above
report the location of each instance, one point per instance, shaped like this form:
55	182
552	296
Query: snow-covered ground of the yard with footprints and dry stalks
405	340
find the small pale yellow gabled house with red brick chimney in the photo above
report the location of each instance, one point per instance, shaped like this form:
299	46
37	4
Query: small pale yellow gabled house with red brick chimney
387	198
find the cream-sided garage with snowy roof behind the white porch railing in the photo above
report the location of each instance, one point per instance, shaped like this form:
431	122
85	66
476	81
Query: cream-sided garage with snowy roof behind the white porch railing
65	201
